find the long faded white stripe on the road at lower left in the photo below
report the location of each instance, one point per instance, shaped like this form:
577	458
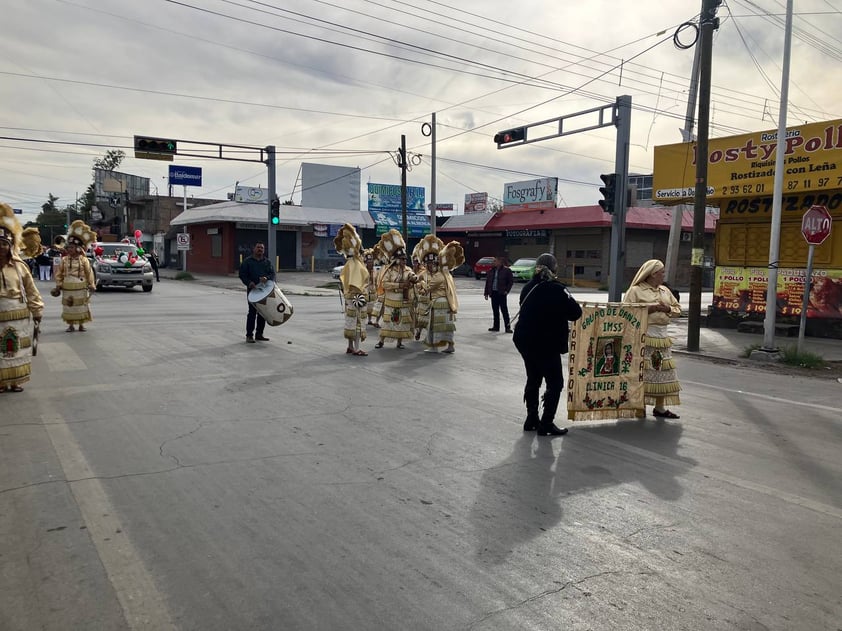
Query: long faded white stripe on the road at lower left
144	607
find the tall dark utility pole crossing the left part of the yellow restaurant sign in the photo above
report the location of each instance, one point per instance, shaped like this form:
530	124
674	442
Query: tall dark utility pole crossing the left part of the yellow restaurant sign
708	23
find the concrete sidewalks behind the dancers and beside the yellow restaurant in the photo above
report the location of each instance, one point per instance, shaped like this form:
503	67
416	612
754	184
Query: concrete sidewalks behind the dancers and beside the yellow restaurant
725	344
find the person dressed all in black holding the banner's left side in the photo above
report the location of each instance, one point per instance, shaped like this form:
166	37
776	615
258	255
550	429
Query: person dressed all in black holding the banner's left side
540	337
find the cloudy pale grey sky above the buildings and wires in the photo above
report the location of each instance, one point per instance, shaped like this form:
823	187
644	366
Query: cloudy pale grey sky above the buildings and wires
339	81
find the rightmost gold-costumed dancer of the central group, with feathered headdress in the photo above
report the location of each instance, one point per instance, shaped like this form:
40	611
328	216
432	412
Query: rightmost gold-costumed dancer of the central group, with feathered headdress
444	304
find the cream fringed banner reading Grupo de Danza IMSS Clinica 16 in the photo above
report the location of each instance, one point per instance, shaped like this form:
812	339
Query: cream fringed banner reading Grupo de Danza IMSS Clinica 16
606	363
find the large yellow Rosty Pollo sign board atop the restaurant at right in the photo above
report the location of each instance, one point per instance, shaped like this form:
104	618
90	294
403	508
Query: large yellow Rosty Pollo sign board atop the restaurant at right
744	166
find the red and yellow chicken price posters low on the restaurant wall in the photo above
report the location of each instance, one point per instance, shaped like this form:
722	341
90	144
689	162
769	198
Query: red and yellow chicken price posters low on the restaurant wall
743	290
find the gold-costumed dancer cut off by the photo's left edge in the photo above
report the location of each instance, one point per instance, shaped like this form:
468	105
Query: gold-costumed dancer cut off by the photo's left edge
21	306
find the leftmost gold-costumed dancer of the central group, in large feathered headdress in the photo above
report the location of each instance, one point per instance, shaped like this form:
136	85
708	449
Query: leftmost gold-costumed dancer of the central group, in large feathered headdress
354	278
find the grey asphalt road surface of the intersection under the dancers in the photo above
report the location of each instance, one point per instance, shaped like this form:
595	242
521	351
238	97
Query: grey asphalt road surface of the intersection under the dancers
160	473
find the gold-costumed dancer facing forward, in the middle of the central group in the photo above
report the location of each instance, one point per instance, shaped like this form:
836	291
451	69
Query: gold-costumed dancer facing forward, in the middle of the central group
395	281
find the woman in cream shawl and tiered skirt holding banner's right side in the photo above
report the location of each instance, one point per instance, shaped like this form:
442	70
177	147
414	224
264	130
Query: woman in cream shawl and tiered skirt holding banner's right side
661	384
